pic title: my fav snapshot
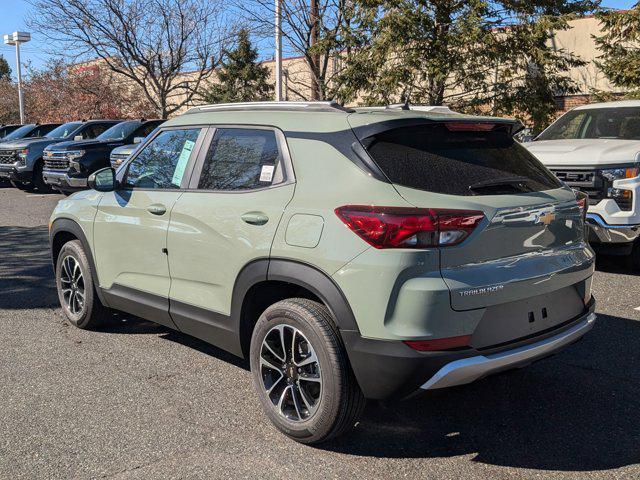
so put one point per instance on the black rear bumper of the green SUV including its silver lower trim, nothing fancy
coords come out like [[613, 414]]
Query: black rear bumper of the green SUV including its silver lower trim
[[388, 370]]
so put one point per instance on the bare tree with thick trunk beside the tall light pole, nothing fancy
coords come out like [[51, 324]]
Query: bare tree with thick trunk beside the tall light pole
[[310, 29]]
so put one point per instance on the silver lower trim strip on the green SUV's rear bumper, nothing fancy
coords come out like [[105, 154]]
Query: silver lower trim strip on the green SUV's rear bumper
[[470, 369]]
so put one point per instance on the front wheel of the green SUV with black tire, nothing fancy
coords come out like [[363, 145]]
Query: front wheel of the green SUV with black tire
[[92, 313]]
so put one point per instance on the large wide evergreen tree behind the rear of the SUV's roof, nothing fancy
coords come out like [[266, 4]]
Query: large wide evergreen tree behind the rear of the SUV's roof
[[476, 56]]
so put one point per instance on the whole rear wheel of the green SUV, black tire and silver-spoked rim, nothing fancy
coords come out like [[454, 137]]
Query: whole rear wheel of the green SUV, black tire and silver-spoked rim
[[302, 374]]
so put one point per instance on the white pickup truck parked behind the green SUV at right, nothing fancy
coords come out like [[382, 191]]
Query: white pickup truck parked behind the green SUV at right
[[596, 149]]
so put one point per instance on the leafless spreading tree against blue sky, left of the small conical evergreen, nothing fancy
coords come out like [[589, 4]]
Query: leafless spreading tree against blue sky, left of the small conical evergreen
[[150, 42]]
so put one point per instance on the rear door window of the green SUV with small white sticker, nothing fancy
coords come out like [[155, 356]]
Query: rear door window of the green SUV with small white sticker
[[240, 159]]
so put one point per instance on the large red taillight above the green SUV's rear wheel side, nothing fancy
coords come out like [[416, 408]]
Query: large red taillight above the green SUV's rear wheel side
[[398, 227]]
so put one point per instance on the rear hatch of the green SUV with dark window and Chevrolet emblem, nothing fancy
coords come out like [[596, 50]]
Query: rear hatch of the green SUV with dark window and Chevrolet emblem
[[530, 242]]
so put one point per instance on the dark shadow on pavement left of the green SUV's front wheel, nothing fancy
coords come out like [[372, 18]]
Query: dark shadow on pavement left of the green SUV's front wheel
[[26, 275]]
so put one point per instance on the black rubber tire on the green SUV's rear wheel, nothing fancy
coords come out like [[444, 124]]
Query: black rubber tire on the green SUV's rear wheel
[[339, 401]]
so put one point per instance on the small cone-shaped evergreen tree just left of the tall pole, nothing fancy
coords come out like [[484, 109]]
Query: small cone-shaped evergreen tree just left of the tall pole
[[241, 78]]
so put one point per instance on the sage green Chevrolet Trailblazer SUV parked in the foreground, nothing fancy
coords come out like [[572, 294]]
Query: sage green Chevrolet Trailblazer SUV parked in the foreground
[[348, 254]]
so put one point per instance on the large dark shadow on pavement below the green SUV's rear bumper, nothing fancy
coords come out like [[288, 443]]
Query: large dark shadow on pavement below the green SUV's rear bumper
[[576, 411]]
